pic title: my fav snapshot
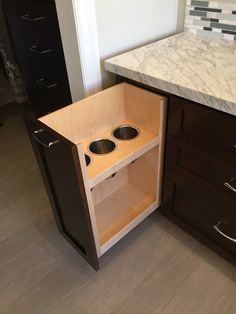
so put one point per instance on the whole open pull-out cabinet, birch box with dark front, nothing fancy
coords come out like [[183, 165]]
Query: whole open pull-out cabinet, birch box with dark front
[[96, 205]]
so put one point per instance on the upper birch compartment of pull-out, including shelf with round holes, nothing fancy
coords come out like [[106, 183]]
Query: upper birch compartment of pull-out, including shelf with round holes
[[97, 116]]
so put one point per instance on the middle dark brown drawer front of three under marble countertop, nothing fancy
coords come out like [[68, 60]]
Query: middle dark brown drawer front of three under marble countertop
[[211, 172]]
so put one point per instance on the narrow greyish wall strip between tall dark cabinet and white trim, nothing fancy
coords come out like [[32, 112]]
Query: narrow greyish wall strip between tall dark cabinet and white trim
[[70, 47]]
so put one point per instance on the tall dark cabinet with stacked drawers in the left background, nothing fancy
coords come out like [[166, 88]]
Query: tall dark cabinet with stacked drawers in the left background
[[36, 38]]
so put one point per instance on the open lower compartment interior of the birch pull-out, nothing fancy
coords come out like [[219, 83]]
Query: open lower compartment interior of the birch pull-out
[[120, 199]]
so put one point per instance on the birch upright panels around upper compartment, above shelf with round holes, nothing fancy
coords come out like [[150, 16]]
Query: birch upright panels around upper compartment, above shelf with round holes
[[105, 110]]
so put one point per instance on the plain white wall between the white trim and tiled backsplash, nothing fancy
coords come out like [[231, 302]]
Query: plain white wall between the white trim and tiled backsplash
[[126, 24]]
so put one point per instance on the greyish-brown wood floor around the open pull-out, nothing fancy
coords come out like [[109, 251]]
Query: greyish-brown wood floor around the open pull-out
[[157, 268]]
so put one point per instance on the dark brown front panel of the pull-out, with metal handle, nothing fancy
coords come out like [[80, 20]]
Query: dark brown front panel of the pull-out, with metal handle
[[59, 164]]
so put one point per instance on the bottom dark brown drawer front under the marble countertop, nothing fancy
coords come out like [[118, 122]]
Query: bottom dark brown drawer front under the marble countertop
[[202, 210]]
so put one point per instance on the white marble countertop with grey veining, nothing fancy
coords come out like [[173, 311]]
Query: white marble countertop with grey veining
[[196, 68]]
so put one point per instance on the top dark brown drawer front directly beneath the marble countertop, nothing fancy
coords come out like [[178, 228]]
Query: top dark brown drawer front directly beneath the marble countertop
[[210, 129]]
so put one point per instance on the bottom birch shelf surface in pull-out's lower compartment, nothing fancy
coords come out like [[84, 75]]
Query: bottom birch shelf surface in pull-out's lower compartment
[[119, 209]]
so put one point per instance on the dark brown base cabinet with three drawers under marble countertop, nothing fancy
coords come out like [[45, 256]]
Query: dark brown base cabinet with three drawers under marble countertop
[[200, 174]]
